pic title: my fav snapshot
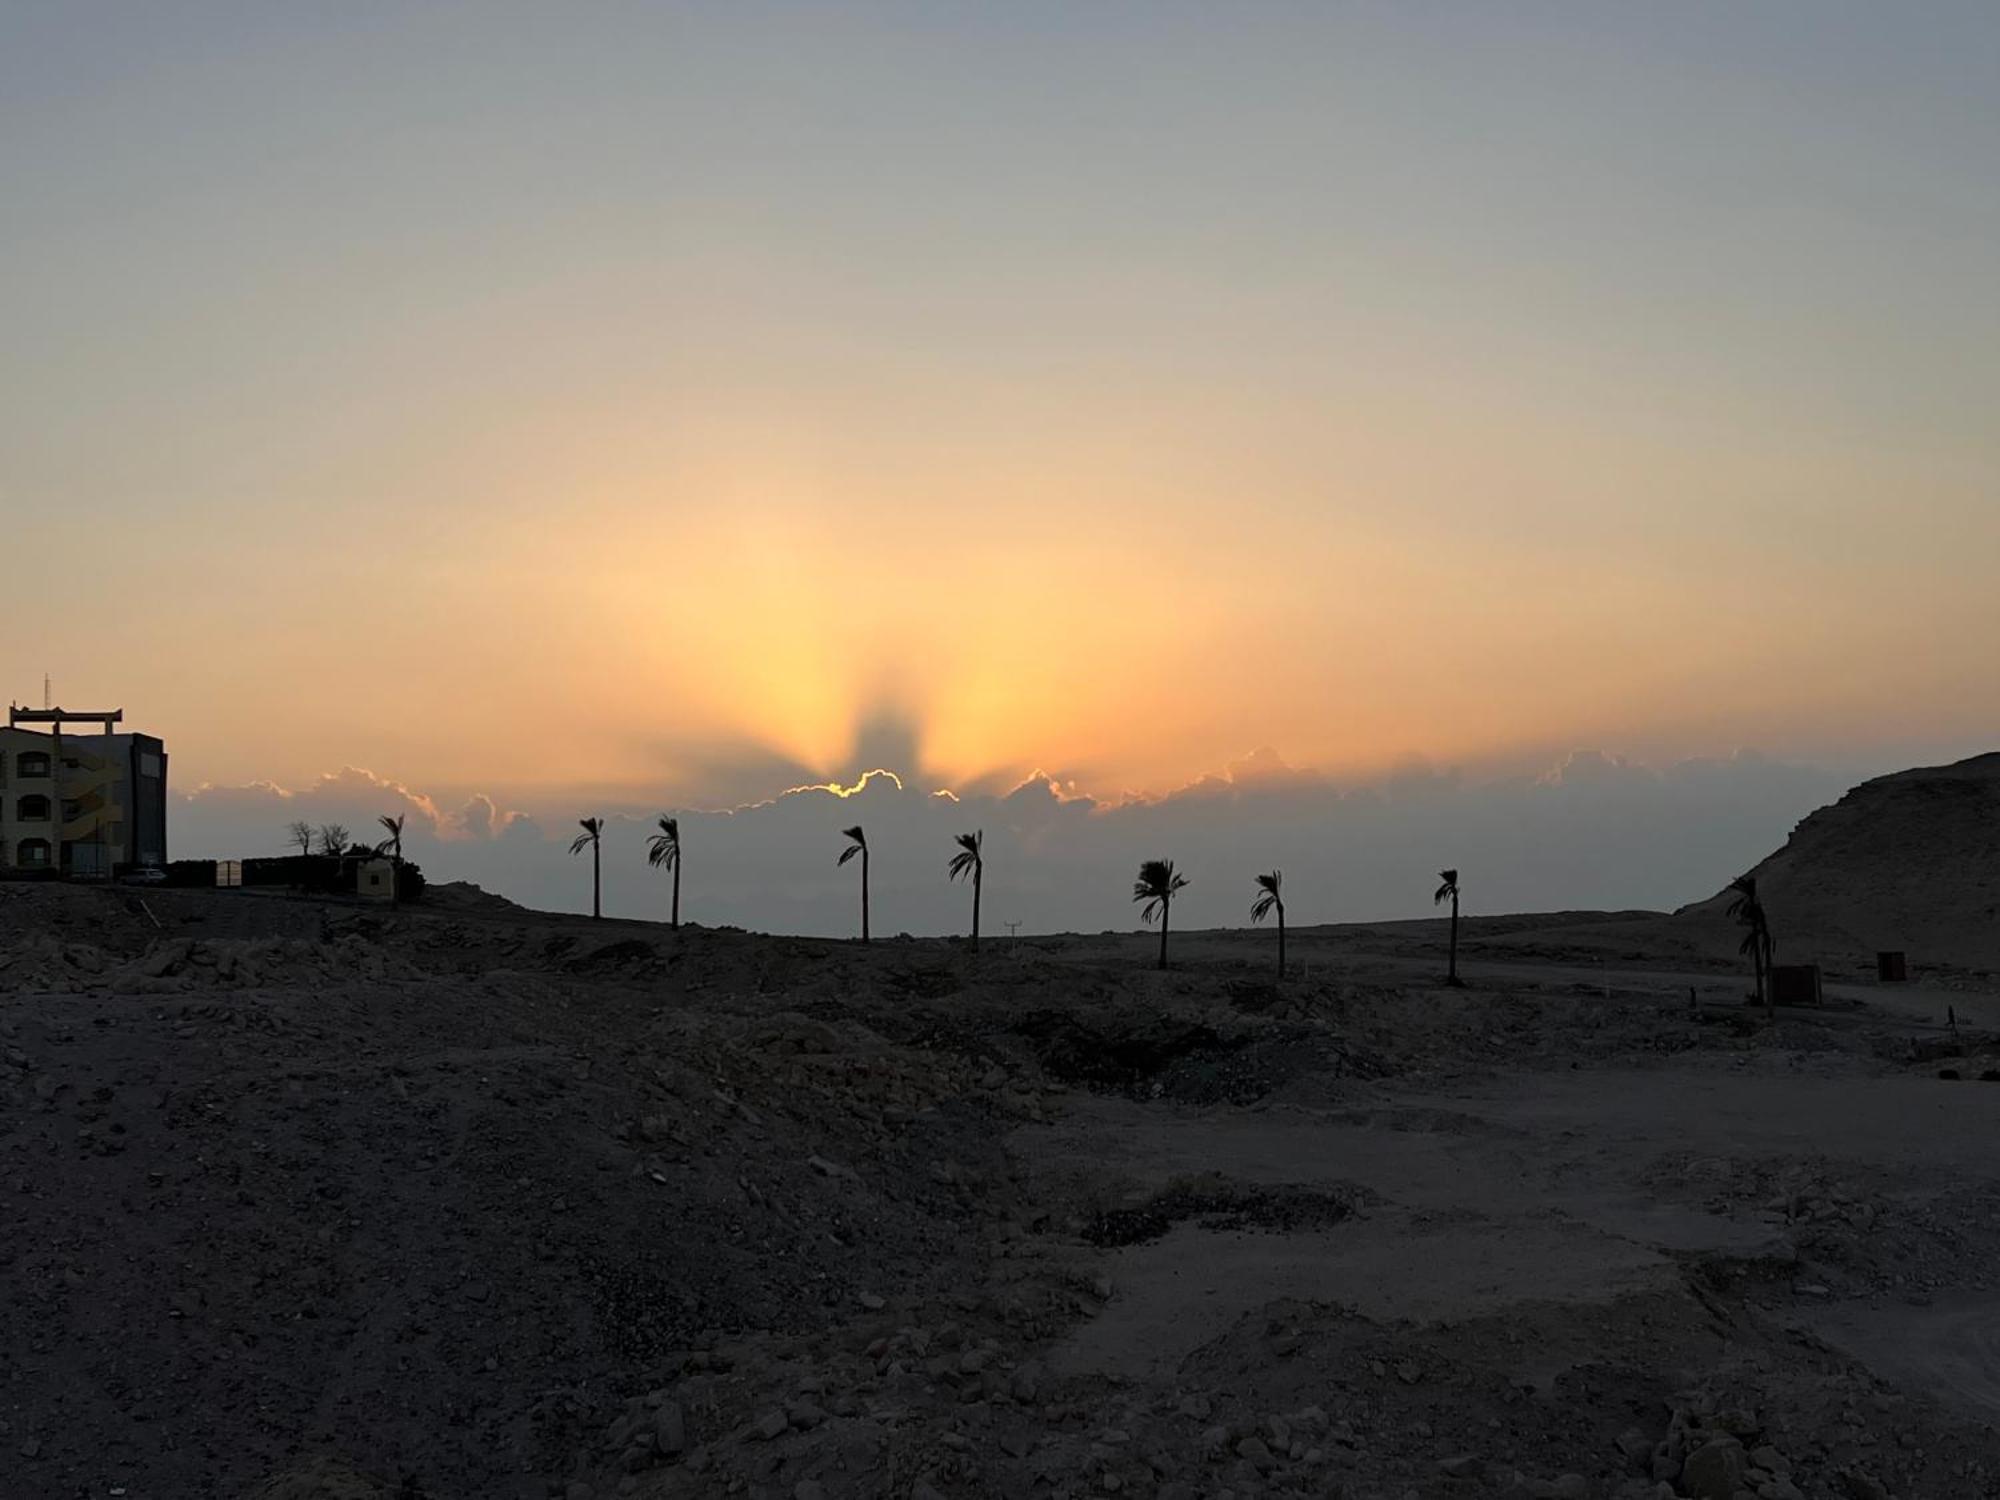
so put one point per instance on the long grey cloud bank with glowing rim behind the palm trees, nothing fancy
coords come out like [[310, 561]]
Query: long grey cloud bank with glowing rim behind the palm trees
[[1589, 833]]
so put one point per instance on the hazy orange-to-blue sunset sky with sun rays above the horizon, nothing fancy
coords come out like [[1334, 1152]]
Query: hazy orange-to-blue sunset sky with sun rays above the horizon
[[613, 409]]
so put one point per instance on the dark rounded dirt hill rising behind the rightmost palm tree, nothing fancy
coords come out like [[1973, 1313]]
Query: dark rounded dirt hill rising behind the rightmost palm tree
[[1903, 863]]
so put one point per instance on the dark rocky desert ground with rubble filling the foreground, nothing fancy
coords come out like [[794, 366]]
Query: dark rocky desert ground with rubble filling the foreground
[[307, 1199]]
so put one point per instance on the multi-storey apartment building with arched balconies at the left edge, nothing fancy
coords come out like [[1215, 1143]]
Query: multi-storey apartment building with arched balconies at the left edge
[[79, 803]]
